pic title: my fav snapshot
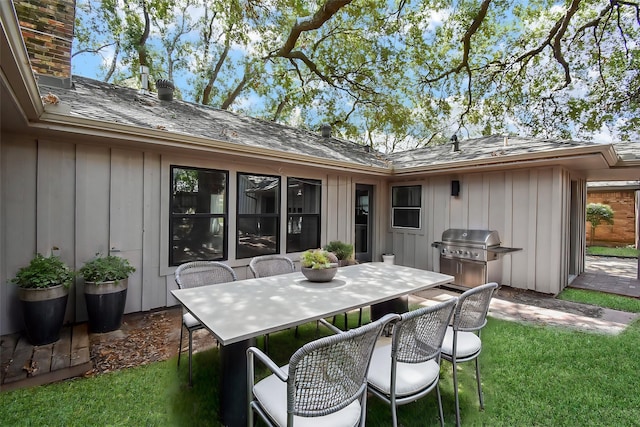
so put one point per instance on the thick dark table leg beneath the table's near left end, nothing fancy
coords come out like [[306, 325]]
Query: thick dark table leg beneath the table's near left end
[[233, 391]]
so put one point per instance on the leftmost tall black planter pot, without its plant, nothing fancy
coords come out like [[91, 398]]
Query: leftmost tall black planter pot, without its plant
[[43, 311]]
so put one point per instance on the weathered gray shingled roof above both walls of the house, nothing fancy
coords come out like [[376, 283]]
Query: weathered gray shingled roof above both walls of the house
[[92, 99]]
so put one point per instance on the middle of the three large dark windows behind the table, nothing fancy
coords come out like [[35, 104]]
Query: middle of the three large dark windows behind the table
[[258, 215]]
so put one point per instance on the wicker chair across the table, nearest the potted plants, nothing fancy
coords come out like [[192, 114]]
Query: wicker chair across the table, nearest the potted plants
[[192, 275]]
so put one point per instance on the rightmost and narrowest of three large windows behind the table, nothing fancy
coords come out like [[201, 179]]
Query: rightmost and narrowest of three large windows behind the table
[[303, 214]]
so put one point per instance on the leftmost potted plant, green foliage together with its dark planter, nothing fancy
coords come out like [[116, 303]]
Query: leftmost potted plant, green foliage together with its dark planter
[[43, 289]]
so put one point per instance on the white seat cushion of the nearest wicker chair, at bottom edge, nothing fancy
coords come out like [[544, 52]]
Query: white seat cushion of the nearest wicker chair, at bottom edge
[[271, 393]]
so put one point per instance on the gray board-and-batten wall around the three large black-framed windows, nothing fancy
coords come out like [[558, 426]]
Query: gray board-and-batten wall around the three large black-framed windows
[[90, 198]]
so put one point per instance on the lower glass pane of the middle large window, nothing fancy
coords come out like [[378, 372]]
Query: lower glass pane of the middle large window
[[257, 236]]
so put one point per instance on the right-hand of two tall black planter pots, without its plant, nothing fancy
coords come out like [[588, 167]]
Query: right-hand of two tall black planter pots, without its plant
[[105, 304]]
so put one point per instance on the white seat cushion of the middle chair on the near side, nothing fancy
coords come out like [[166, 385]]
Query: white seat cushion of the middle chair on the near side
[[410, 377]]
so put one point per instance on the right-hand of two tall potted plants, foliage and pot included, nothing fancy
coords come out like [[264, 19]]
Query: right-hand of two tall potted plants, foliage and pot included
[[105, 291]]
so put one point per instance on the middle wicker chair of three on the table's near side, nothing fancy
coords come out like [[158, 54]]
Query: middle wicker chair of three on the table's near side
[[408, 367]]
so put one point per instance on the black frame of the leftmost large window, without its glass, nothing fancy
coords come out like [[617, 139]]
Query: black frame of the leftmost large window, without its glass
[[224, 215]]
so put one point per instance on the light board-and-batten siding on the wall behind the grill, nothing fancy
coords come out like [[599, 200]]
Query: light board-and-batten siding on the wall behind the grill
[[530, 209]]
